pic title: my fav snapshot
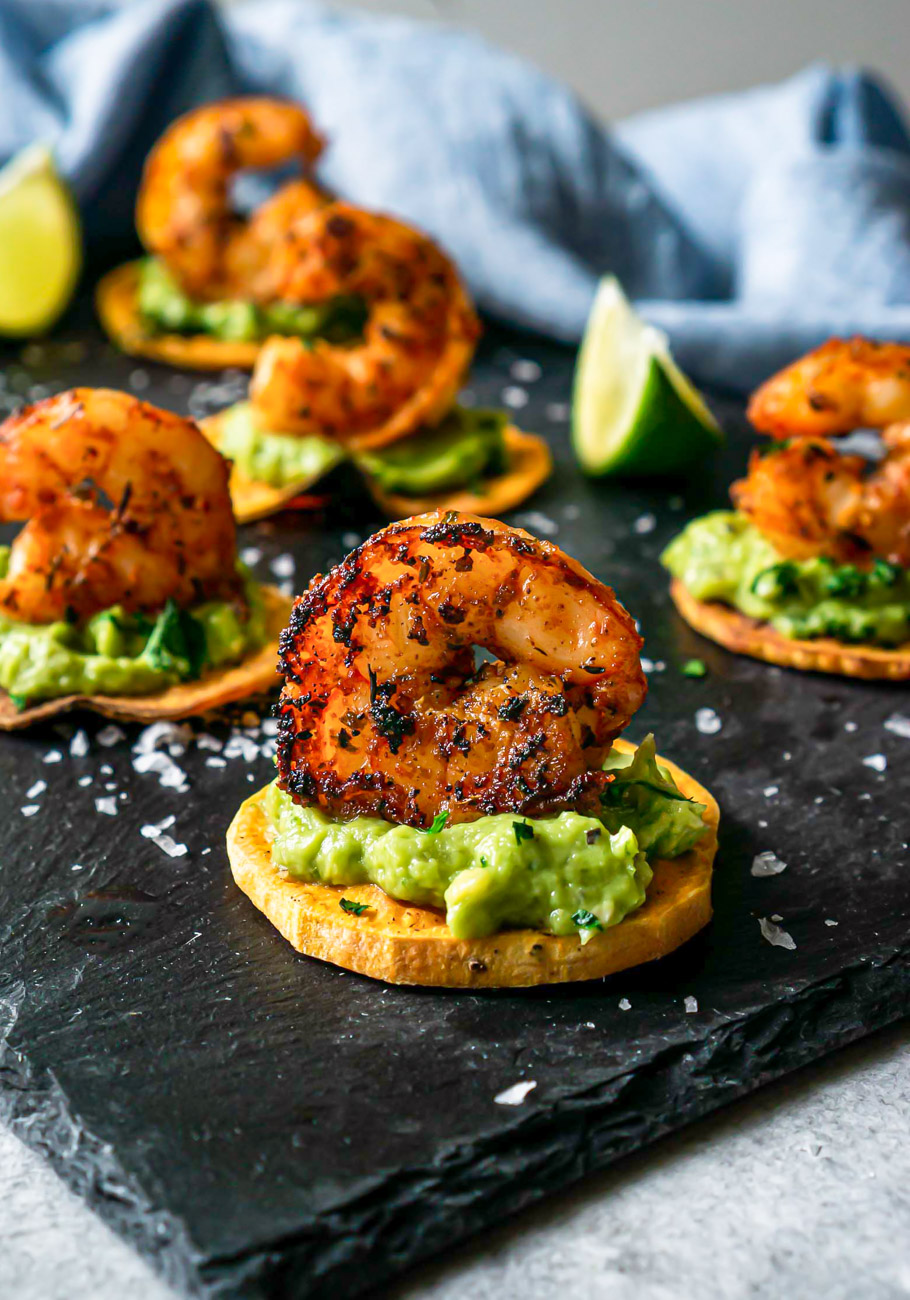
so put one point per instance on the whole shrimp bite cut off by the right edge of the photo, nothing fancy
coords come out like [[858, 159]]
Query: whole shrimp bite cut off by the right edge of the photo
[[812, 570]]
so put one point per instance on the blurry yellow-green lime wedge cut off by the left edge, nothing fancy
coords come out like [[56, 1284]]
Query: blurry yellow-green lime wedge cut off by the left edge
[[41, 244]]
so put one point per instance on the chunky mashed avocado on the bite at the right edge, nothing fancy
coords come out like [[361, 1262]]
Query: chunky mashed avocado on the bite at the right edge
[[723, 557]]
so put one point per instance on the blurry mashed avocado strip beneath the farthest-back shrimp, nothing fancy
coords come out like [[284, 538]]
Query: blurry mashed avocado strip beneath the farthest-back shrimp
[[167, 310]]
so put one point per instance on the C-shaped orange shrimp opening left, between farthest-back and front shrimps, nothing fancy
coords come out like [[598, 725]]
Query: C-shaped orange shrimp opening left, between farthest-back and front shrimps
[[418, 343]]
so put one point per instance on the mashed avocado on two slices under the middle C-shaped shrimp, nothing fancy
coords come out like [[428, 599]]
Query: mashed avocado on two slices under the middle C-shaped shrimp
[[462, 450]]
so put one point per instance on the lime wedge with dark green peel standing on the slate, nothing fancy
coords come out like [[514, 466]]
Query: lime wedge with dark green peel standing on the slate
[[634, 411]]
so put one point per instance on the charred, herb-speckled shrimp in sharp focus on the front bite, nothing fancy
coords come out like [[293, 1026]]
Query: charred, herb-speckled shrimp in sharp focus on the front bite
[[384, 712]]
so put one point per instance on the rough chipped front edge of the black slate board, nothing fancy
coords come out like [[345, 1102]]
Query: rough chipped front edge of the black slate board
[[340, 1256]]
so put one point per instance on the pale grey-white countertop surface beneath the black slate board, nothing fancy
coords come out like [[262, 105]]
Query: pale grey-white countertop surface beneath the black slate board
[[800, 1191]]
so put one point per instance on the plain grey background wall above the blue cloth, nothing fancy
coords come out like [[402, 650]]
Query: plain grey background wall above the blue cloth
[[630, 55]]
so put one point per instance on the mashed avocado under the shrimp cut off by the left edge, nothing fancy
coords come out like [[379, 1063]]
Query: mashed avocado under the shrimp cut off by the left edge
[[125, 655]]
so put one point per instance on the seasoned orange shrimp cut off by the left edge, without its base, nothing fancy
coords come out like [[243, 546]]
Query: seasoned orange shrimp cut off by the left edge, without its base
[[125, 505]]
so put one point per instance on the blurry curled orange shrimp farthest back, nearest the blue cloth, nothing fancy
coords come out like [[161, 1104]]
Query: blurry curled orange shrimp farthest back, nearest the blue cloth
[[184, 211]]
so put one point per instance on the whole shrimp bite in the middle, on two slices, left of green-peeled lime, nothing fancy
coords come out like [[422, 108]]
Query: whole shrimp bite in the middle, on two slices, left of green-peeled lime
[[385, 400]]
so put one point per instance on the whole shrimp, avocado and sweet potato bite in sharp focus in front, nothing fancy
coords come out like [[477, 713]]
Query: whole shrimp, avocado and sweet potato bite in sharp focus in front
[[449, 824]]
